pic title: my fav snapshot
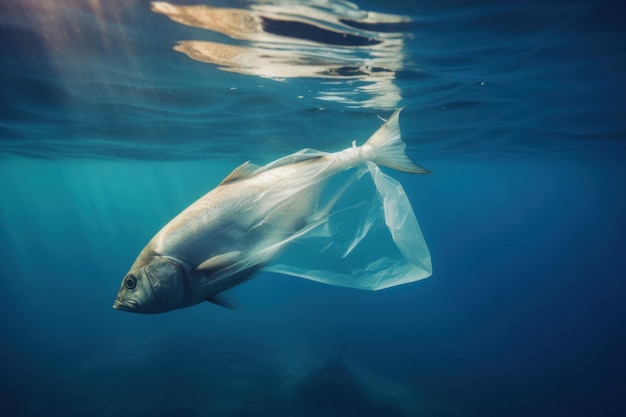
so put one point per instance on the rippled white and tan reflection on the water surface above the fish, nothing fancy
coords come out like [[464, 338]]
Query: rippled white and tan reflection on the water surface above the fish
[[321, 39]]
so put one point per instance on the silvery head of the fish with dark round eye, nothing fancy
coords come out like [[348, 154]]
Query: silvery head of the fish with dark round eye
[[154, 284]]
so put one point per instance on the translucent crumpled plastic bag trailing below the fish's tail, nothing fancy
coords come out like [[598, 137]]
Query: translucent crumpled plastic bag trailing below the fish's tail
[[365, 235]]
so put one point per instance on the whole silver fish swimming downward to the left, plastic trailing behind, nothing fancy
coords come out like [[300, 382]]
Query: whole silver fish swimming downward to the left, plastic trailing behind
[[235, 230]]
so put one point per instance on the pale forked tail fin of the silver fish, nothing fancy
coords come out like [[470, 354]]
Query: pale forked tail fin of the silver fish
[[389, 150]]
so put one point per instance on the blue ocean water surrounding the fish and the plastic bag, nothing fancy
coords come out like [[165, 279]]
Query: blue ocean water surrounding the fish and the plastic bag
[[106, 132]]
